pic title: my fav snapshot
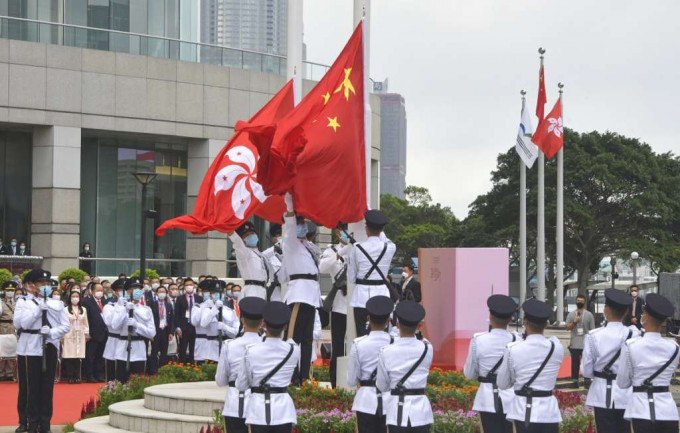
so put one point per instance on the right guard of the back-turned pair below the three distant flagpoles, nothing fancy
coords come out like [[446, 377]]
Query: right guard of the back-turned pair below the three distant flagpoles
[[531, 367]]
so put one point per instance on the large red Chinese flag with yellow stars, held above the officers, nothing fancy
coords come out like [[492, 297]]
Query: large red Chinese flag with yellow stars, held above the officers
[[317, 151]]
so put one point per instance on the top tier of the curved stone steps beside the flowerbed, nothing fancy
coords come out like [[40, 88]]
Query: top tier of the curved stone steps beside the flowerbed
[[198, 398]]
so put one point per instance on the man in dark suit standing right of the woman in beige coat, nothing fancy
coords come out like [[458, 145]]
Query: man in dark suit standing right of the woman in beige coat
[[93, 368]]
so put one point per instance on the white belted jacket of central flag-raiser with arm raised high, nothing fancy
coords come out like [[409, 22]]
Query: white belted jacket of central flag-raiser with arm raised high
[[298, 259]]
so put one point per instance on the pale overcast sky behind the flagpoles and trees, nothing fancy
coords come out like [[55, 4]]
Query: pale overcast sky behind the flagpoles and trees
[[460, 65]]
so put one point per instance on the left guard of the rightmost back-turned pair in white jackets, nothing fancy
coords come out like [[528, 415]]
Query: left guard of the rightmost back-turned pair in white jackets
[[602, 350]]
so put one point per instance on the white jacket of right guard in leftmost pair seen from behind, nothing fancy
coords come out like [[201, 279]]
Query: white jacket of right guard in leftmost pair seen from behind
[[258, 361]]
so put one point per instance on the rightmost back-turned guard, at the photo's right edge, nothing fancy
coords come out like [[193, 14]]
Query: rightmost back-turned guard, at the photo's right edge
[[647, 364]]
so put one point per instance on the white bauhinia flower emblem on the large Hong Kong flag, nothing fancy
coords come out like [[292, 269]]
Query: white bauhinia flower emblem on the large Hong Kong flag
[[240, 174]]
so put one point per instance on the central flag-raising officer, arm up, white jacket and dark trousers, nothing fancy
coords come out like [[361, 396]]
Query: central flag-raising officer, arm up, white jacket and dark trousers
[[304, 294]]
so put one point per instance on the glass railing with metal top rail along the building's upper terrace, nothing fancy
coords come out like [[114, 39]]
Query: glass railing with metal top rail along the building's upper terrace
[[148, 45]]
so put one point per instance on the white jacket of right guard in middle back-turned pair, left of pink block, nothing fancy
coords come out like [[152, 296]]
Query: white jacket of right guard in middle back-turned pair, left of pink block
[[394, 361]]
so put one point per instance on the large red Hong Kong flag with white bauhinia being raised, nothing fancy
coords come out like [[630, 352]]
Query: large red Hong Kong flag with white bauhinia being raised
[[230, 193]]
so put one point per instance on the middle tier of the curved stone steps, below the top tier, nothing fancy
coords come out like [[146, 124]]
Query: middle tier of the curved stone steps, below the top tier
[[133, 416]]
